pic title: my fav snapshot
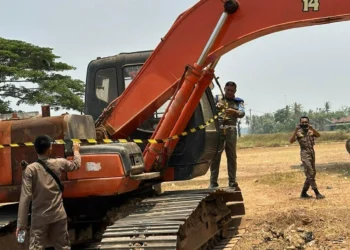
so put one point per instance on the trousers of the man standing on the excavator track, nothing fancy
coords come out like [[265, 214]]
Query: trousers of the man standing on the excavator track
[[228, 141]]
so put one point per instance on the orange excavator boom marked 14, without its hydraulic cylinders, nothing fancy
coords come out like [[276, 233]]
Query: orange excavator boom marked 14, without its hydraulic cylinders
[[188, 36]]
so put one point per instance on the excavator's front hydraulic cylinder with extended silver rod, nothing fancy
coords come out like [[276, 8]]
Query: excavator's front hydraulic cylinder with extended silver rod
[[164, 128]]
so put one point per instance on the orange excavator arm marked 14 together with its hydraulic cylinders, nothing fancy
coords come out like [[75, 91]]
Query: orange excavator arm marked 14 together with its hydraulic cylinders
[[202, 34]]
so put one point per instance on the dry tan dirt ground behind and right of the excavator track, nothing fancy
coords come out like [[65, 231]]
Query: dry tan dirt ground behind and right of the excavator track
[[276, 218]]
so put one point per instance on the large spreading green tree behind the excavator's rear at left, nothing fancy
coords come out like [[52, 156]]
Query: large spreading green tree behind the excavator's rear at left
[[33, 75]]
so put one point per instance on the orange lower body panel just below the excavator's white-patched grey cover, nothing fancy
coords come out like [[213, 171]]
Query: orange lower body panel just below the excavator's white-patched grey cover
[[92, 187]]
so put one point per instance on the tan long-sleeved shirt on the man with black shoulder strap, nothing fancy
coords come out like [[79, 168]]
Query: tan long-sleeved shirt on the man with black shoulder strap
[[42, 190]]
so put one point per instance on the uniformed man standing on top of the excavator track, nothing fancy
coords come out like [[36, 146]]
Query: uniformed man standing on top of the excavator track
[[228, 134]]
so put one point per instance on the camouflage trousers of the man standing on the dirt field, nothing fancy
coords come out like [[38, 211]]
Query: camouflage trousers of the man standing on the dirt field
[[308, 159]]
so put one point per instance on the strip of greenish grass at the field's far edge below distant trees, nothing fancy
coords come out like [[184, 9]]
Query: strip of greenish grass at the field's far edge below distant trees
[[282, 139]]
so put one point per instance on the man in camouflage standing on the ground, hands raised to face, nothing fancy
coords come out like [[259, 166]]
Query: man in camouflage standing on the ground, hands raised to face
[[306, 134]]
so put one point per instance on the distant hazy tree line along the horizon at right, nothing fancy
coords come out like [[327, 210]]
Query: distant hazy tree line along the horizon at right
[[286, 119]]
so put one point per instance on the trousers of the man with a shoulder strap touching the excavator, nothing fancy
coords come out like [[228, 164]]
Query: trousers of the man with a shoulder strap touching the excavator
[[54, 234]]
